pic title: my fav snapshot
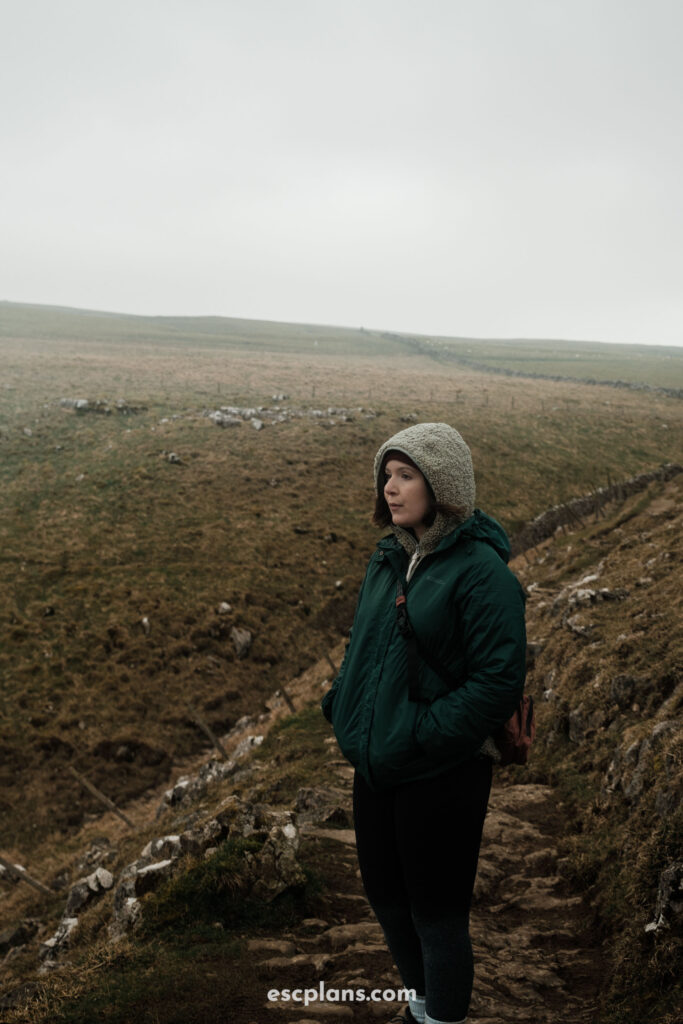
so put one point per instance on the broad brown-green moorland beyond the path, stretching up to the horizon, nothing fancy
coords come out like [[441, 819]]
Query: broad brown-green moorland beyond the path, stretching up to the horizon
[[115, 561]]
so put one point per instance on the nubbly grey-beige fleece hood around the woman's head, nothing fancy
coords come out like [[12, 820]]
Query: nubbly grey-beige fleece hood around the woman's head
[[446, 462]]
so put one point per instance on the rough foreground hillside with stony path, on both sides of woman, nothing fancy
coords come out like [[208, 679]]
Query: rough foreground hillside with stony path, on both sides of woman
[[578, 920]]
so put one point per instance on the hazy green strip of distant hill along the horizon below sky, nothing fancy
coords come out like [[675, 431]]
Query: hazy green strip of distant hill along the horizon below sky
[[655, 365]]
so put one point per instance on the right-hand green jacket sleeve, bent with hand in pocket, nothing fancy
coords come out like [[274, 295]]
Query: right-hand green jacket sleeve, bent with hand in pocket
[[493, 631]]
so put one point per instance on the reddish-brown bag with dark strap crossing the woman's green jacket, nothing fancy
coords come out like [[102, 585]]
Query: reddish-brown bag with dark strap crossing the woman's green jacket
[[514, 739]]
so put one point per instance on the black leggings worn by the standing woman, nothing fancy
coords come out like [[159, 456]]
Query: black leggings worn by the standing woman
[[418, 847]]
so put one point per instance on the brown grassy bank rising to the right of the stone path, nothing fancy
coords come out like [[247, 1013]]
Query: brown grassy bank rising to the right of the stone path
[[605, 615]]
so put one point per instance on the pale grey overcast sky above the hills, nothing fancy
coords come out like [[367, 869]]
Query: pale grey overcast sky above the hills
[[493, 168]]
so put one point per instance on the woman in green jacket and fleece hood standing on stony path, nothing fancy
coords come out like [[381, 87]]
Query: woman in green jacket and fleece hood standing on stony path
[[416, 704]]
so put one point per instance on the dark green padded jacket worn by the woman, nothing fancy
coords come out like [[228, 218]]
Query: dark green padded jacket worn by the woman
[[467, 610]]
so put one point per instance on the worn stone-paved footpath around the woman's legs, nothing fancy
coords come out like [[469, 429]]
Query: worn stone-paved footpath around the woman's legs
[[535, 962]]
